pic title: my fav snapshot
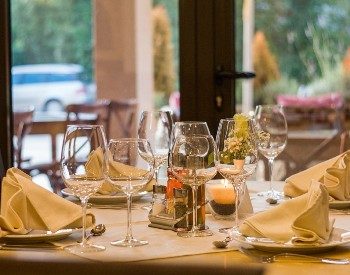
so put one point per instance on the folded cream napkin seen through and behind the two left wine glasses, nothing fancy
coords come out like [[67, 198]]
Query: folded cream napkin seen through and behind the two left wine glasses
[[93, 167]]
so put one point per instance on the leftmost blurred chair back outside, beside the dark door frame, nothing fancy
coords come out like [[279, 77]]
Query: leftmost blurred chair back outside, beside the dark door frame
[[22, 124]]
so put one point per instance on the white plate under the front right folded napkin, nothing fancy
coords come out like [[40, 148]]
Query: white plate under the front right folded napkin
[[265, 244]]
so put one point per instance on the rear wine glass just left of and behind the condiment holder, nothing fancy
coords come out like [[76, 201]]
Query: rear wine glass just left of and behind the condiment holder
[[156, 127]]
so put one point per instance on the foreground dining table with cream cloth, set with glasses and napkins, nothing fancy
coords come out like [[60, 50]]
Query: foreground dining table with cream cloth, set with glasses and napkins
[[166, 253]]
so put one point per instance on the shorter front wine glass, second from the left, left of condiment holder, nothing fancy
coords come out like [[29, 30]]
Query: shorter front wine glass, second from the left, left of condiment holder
[[131, 156]]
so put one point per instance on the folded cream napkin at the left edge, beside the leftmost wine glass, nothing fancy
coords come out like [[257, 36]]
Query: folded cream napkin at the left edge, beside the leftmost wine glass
[[26, 205]]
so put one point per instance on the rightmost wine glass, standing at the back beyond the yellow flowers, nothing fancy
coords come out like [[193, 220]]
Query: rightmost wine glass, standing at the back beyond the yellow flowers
[[271, 127]]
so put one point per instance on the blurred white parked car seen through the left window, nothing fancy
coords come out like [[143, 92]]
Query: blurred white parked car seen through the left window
[[48, 87]]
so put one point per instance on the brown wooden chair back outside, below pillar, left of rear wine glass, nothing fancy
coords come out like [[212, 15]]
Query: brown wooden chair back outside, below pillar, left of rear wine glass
[[125, 113]]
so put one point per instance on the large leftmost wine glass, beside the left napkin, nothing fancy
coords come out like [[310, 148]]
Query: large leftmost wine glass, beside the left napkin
[[80, 142]]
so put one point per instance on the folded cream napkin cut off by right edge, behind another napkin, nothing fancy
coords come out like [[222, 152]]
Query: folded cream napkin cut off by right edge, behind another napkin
[[333, 173]]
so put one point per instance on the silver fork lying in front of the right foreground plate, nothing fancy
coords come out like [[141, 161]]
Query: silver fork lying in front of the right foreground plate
[[291, 256]]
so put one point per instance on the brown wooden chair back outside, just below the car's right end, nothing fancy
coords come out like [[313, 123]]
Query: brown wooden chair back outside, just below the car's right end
[[101, 108]]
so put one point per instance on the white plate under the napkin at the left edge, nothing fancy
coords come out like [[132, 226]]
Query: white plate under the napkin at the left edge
[[35, 236]]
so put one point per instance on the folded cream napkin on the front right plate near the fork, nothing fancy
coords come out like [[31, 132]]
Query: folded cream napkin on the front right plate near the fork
[[304, 219]]
